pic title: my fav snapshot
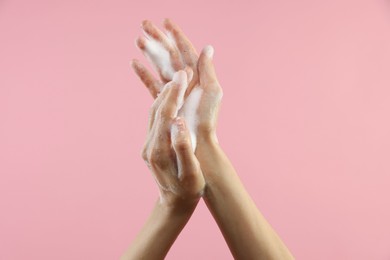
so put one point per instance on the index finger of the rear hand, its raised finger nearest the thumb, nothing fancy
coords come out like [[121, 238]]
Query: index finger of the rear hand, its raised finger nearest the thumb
[[184, 45]]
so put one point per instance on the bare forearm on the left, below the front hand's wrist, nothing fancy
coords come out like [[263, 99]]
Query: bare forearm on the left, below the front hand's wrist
[[159, 232]]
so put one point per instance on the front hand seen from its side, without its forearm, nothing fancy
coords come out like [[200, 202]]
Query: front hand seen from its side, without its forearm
[[168, 151]]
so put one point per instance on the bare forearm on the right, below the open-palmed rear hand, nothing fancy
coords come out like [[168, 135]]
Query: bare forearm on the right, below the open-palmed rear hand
[[246, 231]]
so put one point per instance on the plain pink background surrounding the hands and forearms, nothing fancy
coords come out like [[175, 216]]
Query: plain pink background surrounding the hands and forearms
[[305, 120]]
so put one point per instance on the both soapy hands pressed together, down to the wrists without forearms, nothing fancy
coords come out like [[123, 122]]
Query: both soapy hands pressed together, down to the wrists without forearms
[[184, 113]]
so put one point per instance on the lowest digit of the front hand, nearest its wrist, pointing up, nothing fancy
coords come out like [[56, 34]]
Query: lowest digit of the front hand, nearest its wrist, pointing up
[[188, 166]]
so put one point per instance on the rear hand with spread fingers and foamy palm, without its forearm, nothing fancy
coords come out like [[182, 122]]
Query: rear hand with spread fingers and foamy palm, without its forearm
[[171, 52]]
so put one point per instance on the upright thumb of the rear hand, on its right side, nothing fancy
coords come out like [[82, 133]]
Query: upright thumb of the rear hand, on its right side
[[206, 70]]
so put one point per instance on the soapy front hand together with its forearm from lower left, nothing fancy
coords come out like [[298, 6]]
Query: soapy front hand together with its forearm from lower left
[[168, 153]]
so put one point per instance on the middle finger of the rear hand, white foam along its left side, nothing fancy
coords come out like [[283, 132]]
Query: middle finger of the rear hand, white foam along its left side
[[157, 36]]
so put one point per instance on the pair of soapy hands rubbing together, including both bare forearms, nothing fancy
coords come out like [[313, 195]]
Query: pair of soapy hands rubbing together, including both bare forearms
[[183, 154]]
